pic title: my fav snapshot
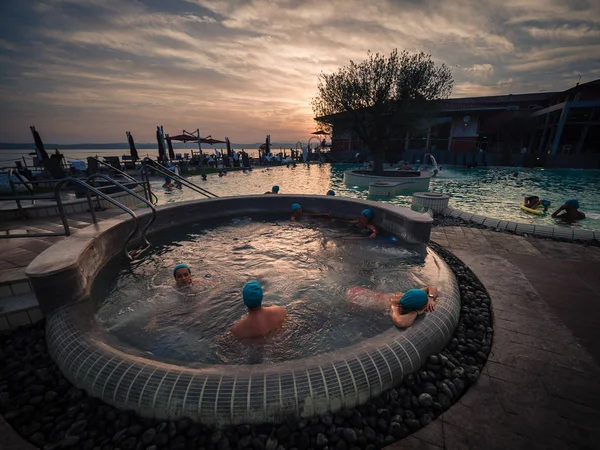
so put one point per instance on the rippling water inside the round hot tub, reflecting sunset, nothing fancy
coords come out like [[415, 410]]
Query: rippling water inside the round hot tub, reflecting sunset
[[305, 268]]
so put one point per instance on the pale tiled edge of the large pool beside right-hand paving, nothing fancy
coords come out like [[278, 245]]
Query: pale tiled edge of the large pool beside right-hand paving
[[543, 231]]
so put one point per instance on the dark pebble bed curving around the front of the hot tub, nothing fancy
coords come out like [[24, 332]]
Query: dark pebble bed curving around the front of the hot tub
[[44, 408]]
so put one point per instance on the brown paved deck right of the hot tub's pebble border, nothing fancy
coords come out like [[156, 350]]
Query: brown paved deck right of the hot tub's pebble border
[[540, 388]]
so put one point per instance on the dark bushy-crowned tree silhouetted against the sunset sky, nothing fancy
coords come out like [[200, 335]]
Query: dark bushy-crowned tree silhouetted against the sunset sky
[[381, 97]]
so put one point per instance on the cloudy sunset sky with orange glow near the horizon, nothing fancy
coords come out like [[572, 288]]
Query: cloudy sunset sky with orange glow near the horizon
[[88, 70]]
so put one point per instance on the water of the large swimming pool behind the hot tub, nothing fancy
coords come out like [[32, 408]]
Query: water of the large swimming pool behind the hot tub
[[492, 192]]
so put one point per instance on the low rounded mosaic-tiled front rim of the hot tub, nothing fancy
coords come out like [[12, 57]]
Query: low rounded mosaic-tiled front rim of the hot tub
[[230, 394]]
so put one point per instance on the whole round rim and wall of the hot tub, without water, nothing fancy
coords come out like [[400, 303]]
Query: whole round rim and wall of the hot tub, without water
[[109, 368]]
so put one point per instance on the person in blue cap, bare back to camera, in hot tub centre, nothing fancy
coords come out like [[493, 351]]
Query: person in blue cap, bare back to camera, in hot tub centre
[[260, 320]]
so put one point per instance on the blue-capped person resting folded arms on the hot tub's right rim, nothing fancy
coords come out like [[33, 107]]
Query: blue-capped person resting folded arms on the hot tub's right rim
[[404, 307]]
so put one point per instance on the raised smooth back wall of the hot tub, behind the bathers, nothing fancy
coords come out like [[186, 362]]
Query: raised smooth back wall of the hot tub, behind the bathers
[[71, 265]]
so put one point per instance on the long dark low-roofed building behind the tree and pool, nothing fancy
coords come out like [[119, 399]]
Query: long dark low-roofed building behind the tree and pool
[[550, 129]]
